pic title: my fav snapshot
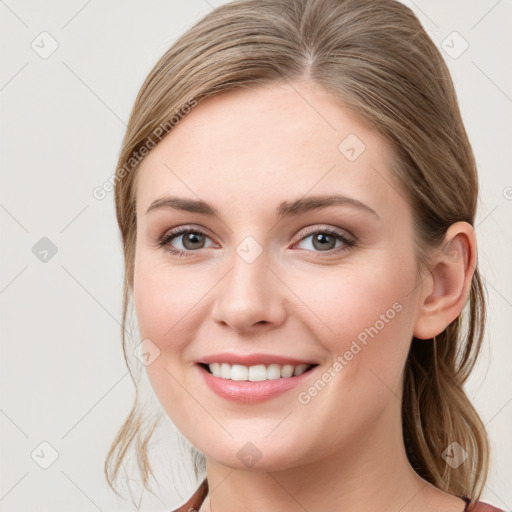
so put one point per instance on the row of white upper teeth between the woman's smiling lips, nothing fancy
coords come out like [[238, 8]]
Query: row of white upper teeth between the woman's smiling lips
[[256, 373]]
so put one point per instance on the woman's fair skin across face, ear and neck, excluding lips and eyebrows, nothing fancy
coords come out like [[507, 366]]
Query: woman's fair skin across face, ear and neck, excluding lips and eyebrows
[[245, 152]]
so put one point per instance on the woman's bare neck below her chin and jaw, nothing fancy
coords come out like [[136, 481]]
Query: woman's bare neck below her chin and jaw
[[369, 473]]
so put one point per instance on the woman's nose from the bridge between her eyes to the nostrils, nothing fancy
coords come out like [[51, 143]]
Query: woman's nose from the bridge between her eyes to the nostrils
[[249, 293]]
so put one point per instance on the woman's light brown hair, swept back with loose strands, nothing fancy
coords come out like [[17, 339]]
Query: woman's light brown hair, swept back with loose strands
[[377, 60]]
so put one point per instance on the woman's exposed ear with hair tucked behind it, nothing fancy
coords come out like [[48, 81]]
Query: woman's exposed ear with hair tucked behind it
[[445, 290]]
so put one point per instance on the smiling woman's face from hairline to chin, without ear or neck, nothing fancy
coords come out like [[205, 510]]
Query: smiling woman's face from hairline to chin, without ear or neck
[[261, 277]]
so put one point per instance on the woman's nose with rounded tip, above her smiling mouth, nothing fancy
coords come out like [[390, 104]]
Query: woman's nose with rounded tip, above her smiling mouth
[[250, 296]]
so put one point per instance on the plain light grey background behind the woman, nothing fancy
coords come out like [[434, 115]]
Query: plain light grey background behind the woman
[[62, 377]]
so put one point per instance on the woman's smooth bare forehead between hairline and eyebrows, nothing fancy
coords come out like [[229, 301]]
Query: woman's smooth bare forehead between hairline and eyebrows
[[252, 148]]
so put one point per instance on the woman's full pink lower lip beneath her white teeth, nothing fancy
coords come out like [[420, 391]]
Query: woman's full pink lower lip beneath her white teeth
[[252, 392]]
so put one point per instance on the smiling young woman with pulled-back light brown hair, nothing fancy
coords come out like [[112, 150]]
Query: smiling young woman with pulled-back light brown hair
[[301, 257]]
